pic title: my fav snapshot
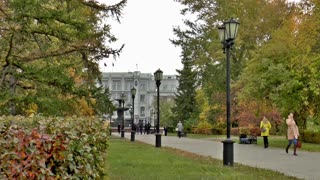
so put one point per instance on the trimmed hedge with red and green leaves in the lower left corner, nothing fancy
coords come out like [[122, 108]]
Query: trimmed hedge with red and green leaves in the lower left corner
[[52, 148]]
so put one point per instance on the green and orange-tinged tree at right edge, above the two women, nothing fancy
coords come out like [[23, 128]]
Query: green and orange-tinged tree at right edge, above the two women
[[286, 70]]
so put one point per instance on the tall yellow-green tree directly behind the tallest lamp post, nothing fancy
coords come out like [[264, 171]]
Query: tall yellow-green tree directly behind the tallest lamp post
[[259, 20]]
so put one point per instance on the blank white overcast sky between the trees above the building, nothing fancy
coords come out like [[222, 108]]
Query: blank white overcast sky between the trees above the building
[[145, 29]]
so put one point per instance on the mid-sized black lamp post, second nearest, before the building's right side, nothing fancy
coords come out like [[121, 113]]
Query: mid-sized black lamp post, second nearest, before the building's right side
[[158, 77]]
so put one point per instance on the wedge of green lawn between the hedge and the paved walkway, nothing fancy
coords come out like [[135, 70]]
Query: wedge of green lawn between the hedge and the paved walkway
[[138, 161]]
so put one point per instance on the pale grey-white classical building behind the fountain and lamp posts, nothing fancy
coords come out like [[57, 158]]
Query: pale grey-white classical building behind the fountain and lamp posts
[[146, 93]]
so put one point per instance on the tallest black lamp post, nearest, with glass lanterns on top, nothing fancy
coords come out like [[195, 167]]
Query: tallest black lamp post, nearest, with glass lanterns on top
[[227, 35]]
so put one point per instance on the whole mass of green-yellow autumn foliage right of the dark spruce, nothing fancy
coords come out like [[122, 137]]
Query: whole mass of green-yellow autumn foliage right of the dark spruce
[[275, 59]]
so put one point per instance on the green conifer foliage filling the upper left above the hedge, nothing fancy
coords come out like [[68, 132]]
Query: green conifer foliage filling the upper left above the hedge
[[50, 52]]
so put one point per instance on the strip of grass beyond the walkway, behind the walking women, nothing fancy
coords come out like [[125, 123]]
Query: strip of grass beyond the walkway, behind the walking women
[[274, 141]]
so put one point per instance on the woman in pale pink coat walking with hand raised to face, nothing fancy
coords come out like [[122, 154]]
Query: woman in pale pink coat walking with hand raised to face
[[293, 134]]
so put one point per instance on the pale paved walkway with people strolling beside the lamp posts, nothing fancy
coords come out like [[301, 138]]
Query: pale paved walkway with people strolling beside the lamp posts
[[304, 166]]
